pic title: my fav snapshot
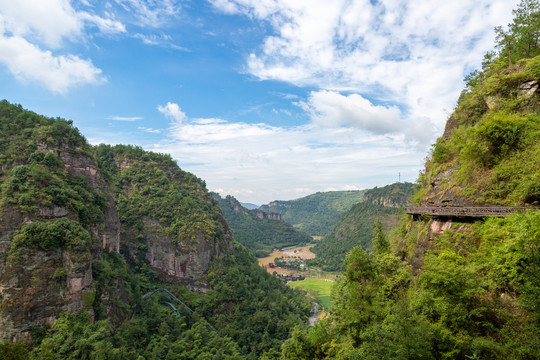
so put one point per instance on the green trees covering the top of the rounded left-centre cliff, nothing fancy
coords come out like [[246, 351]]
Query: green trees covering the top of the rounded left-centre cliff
[[153, 186]]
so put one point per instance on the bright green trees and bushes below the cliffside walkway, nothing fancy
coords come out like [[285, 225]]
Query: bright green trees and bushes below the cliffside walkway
[[476, 297]]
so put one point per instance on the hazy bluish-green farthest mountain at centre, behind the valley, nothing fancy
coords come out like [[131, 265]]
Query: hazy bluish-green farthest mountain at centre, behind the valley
[[318, 213]]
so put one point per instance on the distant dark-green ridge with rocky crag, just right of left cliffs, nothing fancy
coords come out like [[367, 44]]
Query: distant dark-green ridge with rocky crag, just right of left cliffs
[[258, 230]]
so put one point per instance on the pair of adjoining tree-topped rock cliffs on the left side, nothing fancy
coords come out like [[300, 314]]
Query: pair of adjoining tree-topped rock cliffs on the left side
[[62, 205]]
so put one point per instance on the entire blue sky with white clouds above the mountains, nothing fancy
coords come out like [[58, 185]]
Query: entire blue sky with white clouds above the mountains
[[263, 99]]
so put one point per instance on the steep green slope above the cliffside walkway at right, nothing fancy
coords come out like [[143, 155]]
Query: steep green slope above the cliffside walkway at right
[[494, 143]]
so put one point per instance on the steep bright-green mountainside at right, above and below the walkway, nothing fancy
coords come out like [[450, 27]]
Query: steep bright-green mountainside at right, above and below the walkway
[[452, 288]]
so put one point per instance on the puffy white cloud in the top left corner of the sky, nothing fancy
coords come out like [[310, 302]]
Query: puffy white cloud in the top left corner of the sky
[[31, 30]]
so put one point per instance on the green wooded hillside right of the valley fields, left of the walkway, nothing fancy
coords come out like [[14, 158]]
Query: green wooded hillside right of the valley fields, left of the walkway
[[354, 229]]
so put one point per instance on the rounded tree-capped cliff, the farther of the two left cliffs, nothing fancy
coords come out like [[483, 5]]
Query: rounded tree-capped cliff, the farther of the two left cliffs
[[168, 216]]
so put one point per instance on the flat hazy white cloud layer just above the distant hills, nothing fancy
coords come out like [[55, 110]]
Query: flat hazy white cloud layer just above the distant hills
[[255, 161]]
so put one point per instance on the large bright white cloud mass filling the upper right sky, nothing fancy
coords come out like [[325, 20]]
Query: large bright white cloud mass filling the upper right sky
[[410, 53]]
